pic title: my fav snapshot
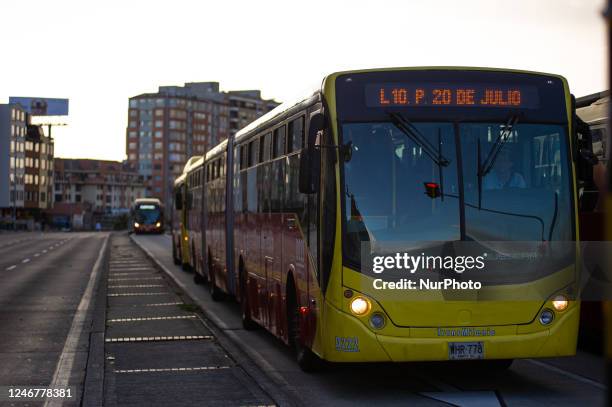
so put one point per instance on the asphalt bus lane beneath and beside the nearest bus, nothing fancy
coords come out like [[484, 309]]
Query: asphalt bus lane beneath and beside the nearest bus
[[562, 382]]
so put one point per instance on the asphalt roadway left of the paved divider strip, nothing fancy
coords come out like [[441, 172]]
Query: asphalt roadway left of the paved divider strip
[[43, 279]]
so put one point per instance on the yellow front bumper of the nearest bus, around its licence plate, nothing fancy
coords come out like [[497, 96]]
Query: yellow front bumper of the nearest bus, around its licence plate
[[350, 340]]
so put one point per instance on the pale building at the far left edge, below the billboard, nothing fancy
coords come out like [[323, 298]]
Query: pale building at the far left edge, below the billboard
[[13, 129]]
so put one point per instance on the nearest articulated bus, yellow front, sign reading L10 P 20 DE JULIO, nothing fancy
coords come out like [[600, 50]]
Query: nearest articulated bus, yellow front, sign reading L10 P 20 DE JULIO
[[415, 160]]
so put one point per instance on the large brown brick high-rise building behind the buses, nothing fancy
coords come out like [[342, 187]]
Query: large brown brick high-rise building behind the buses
[[166, 128]]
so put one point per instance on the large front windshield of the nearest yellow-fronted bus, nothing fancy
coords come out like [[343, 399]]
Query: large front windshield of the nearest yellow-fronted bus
[[394, 191]]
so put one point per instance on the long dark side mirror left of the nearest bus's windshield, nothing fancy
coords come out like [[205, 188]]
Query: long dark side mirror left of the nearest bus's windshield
[[311, 155]]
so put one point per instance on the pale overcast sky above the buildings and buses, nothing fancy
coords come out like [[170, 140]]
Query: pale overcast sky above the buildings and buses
[[99, 53]]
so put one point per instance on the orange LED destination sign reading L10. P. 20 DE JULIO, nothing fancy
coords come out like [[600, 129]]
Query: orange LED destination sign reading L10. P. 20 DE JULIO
[[451, 95]]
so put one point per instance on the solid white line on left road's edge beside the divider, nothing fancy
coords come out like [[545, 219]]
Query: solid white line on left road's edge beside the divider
[[65, 364]]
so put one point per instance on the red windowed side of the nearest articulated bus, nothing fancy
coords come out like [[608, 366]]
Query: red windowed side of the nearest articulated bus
[[260, 230]]
